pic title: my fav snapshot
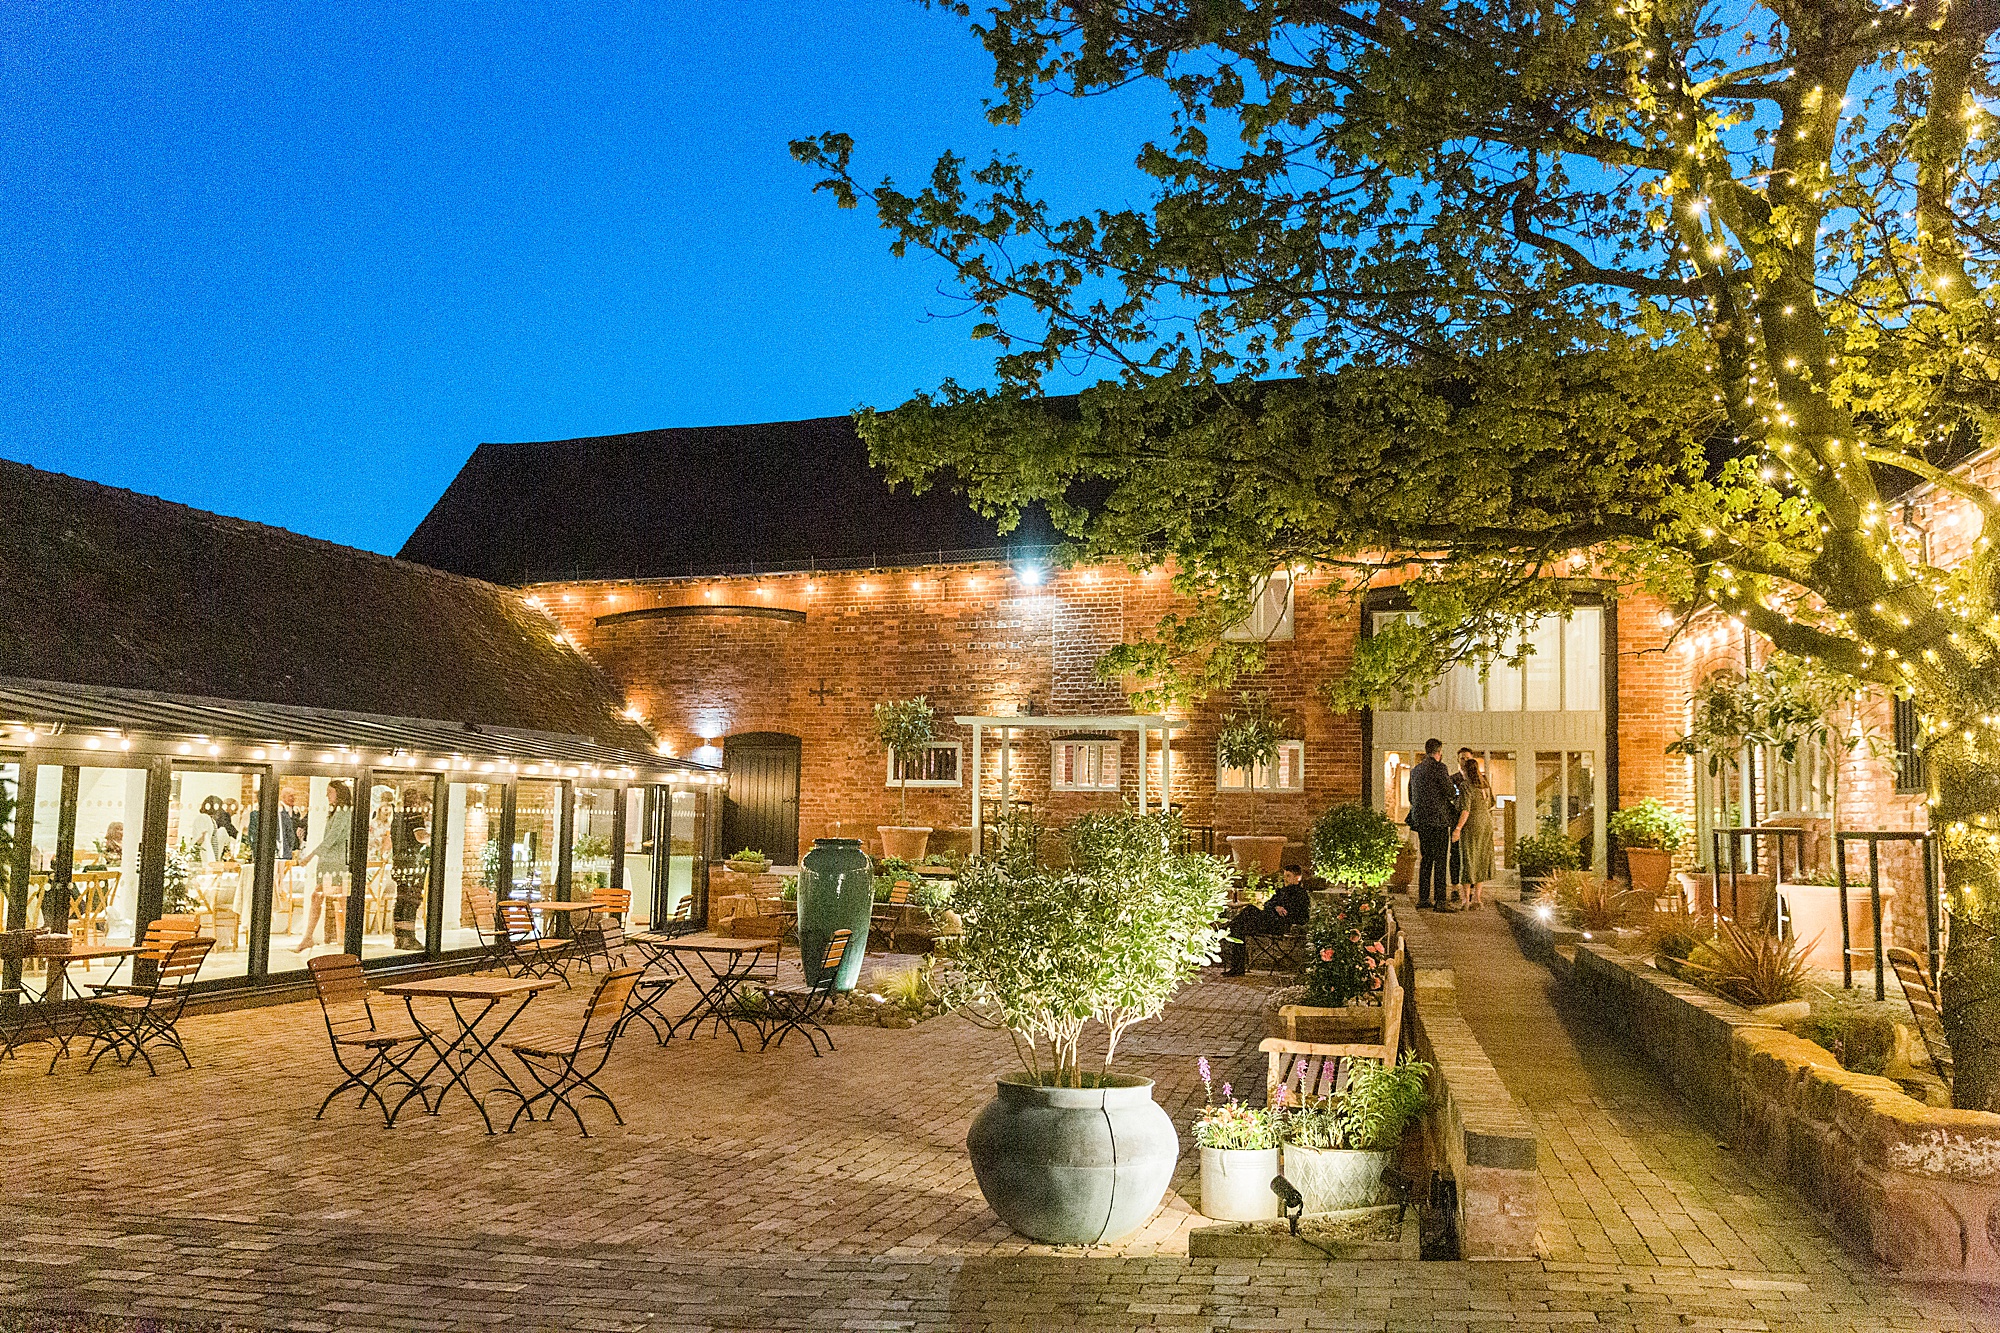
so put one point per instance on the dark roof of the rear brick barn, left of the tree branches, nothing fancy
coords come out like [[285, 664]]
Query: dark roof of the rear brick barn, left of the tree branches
[[693, 501]]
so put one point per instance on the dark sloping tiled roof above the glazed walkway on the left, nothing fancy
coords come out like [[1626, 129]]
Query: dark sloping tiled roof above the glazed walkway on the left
[[121, 589]]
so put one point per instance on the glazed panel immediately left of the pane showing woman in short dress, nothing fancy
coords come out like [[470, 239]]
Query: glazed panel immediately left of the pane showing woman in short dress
[[211, 846]]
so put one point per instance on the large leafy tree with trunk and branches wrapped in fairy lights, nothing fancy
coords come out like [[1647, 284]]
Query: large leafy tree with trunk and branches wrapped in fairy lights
[[1479, 293]]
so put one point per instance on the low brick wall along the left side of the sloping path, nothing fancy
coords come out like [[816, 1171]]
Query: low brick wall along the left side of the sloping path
[[1477, 1128]]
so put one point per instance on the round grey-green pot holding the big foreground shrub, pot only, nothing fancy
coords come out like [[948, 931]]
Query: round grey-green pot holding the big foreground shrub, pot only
[[1073, 1166]]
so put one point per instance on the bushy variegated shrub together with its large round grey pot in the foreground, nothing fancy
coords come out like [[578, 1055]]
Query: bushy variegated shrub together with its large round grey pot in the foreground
[[1073, 1156]]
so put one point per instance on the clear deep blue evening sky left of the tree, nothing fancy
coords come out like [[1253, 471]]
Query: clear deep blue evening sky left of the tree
[[295, 261]]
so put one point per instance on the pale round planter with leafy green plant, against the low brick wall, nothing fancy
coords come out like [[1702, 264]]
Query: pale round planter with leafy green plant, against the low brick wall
[[1335, 1154]]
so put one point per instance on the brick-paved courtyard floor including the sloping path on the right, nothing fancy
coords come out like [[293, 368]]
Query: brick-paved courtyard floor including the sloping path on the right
[[785, 1192]]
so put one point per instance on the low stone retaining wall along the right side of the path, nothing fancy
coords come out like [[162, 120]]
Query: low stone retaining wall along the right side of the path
[[1913, 1186]]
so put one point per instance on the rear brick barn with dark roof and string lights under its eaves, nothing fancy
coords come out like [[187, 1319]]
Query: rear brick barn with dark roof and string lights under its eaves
[[759, 589]]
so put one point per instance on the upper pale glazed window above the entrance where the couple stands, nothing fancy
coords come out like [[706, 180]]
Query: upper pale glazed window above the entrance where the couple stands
[[1563, 670]]
